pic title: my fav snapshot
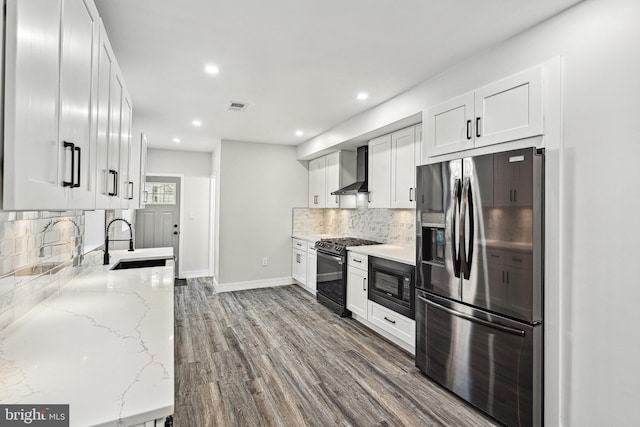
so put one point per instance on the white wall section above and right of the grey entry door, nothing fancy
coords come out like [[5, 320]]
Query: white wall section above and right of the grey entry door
[[196, 168]]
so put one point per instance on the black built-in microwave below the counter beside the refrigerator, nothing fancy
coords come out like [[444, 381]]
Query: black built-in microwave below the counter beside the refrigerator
[[392, 284]]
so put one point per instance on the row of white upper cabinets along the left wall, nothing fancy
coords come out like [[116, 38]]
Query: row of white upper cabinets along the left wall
[[57, 131]]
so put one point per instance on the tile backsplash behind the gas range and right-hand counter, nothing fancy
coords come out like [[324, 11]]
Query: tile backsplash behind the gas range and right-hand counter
[[393, 226]]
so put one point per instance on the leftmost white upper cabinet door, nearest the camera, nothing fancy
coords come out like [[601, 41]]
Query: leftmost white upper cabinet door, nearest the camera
[[34, 157]]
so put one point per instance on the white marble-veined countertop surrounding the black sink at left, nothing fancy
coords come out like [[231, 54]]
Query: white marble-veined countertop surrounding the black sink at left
[[104, 345]]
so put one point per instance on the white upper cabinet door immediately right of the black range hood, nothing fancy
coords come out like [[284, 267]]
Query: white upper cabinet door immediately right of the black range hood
[[380, 172]]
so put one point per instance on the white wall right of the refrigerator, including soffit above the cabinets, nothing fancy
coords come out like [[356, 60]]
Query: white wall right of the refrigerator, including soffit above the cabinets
[[592, 289]]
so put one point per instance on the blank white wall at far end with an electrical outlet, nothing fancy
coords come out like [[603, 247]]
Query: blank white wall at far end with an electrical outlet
[[259, 185]]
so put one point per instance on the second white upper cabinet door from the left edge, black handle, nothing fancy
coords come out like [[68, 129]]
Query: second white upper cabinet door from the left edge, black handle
[[78, 70]]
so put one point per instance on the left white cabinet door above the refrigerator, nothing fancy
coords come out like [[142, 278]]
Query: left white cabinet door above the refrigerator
[[450, 125]]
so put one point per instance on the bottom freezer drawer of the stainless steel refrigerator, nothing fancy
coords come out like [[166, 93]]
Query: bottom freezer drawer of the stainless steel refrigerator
[[490, 361]]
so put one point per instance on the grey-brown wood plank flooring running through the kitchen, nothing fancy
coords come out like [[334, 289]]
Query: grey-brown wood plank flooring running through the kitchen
[[275, 357]]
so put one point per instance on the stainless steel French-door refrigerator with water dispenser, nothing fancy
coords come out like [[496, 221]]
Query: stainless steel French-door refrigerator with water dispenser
[[479, 283]]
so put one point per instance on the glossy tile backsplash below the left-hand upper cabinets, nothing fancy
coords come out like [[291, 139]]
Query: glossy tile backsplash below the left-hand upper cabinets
[[39, 253]]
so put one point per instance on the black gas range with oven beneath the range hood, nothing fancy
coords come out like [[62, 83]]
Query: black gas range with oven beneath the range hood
[[331, 290]]
